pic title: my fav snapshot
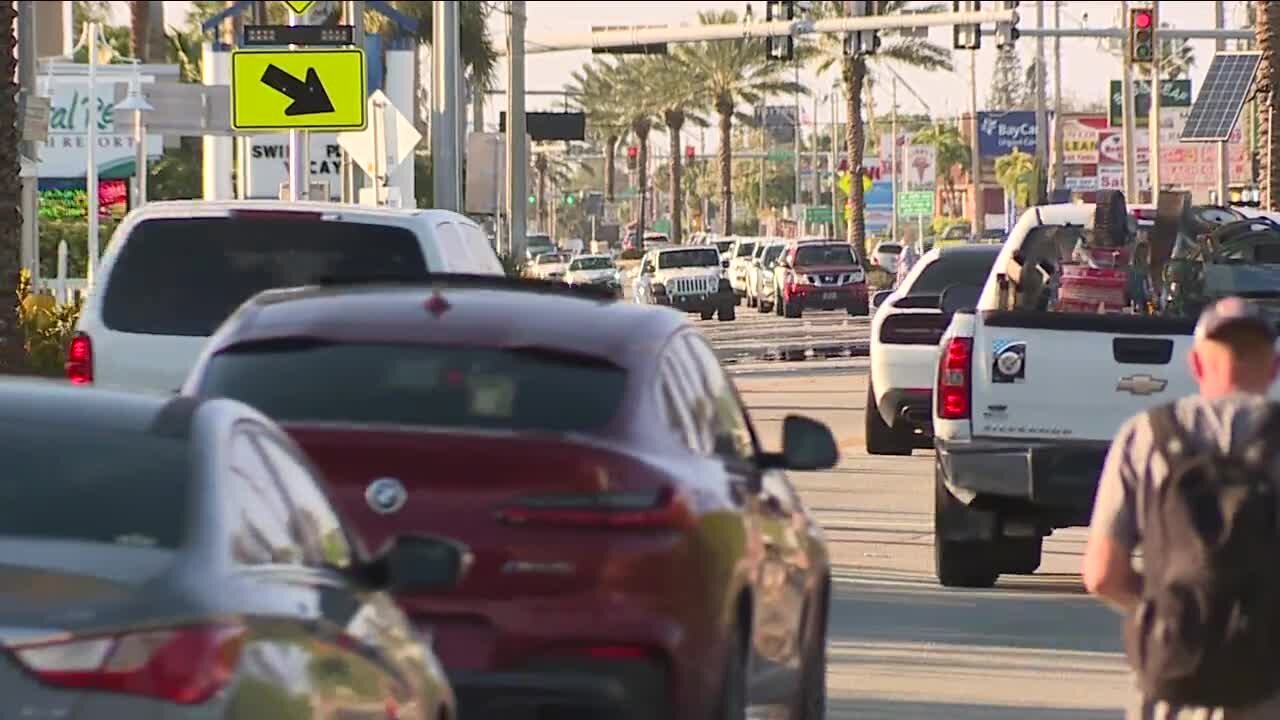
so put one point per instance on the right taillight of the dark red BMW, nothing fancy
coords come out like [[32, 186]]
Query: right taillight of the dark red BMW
[[627, 511]]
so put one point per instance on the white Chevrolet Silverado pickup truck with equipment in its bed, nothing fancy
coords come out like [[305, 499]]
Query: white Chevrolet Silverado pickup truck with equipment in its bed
[[1027, 402]]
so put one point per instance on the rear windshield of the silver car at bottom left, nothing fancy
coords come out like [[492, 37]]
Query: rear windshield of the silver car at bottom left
[[112, 487]]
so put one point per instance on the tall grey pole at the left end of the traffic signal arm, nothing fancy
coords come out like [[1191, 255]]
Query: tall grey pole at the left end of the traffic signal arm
[[518, 153]]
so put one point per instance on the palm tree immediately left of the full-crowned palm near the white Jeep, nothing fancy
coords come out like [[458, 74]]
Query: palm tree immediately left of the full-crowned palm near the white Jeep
[[679, 102]]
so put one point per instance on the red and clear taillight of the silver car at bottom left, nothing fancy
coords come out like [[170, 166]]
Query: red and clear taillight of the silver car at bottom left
[[184, 666]]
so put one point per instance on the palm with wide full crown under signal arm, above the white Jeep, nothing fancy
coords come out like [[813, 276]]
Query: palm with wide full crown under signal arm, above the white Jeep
[[733, 74]]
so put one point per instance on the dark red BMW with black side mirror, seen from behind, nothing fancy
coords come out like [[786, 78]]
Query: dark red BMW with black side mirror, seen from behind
[[633, 543]]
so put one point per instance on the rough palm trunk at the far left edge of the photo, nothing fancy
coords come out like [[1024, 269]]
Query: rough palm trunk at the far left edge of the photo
[[13, 343]]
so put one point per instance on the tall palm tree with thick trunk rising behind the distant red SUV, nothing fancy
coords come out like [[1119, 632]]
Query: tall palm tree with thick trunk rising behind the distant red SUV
[[854, 75]]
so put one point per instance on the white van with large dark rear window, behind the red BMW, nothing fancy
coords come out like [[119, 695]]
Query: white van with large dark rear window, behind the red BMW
[[176, 271]]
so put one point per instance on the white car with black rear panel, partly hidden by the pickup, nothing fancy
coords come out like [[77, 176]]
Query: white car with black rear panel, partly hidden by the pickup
[[904, 347]]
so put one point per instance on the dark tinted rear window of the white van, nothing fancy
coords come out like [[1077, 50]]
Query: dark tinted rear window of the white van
[[185, 276]]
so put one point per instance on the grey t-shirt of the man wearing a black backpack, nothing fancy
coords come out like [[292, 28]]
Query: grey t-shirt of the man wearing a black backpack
[[1135, 463]]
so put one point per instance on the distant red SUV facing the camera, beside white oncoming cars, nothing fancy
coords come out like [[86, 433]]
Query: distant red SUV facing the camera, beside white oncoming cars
[[821, 276]]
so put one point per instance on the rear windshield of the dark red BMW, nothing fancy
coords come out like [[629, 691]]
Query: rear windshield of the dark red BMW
[[420, 386]]
